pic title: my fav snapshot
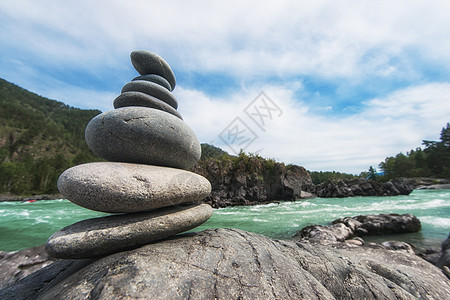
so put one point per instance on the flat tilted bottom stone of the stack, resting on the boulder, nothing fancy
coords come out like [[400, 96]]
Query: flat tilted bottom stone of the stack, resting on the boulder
[[106, 235]]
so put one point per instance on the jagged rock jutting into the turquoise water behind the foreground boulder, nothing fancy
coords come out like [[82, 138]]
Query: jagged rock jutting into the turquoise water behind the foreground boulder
[[345, 228]]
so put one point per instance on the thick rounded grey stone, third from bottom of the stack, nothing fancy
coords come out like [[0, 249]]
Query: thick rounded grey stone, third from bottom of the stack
[[143, 135]]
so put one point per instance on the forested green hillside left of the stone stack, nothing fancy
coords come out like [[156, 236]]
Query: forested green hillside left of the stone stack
[[39, 139]]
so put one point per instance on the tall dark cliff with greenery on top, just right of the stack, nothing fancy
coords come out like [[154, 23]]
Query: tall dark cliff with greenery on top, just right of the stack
[[253, 181]]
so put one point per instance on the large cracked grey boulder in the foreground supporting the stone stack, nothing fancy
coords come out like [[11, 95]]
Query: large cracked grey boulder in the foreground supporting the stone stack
[[234, 264]]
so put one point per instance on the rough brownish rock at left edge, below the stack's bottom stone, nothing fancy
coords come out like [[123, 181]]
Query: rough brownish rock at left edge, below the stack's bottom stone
[[18, 264]]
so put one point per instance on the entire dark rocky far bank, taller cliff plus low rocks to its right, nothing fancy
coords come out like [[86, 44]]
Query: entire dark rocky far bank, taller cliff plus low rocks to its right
[[253, 180]]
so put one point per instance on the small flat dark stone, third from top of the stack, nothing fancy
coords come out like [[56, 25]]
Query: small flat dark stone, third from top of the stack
[[152, 89]]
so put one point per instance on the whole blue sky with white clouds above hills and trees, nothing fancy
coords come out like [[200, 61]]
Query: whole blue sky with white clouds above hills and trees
[[330, 85]]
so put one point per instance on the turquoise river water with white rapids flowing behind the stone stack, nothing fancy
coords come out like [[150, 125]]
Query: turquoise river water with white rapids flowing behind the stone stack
[[24, 225]]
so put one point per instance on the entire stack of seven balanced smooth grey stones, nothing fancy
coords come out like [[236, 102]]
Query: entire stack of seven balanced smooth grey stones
[[148, 148]]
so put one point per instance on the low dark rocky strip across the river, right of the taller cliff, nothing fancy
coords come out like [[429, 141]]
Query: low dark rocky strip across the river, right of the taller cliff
[[363, 187]]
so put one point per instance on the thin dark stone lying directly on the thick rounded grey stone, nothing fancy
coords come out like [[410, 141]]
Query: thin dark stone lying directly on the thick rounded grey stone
[[141, 99]]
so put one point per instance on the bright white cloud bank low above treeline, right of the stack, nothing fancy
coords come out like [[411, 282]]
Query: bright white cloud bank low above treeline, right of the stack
[[386, 126]]
